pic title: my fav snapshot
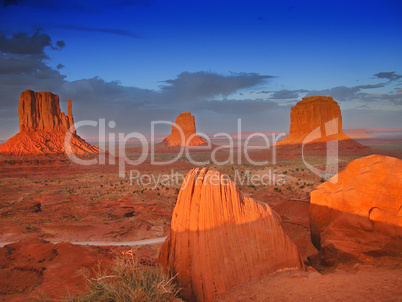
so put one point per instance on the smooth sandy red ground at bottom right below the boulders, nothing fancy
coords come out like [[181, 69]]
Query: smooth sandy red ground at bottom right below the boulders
[[360, 283]]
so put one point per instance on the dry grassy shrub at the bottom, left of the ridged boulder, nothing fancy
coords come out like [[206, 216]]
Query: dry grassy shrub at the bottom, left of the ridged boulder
[[123, 280]]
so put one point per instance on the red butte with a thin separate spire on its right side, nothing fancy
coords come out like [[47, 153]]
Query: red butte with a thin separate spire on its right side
[[43, 128]]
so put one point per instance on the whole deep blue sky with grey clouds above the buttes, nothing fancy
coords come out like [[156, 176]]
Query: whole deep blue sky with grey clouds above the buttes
[[139, 61]]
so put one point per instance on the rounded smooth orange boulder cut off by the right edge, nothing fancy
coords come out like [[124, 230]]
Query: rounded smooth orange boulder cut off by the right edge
[[361, 214]]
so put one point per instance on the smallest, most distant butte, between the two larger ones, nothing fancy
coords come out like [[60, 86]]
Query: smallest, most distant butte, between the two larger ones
[[185, 122]]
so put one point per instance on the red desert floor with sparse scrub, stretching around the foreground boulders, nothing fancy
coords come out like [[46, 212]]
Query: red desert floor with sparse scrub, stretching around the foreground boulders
[[48, 203]]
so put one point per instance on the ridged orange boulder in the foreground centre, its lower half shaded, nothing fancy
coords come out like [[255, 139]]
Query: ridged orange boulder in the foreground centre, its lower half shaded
[[219, 238]]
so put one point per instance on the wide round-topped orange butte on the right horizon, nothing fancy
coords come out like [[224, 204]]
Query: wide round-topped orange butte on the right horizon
[[315, 119]]
